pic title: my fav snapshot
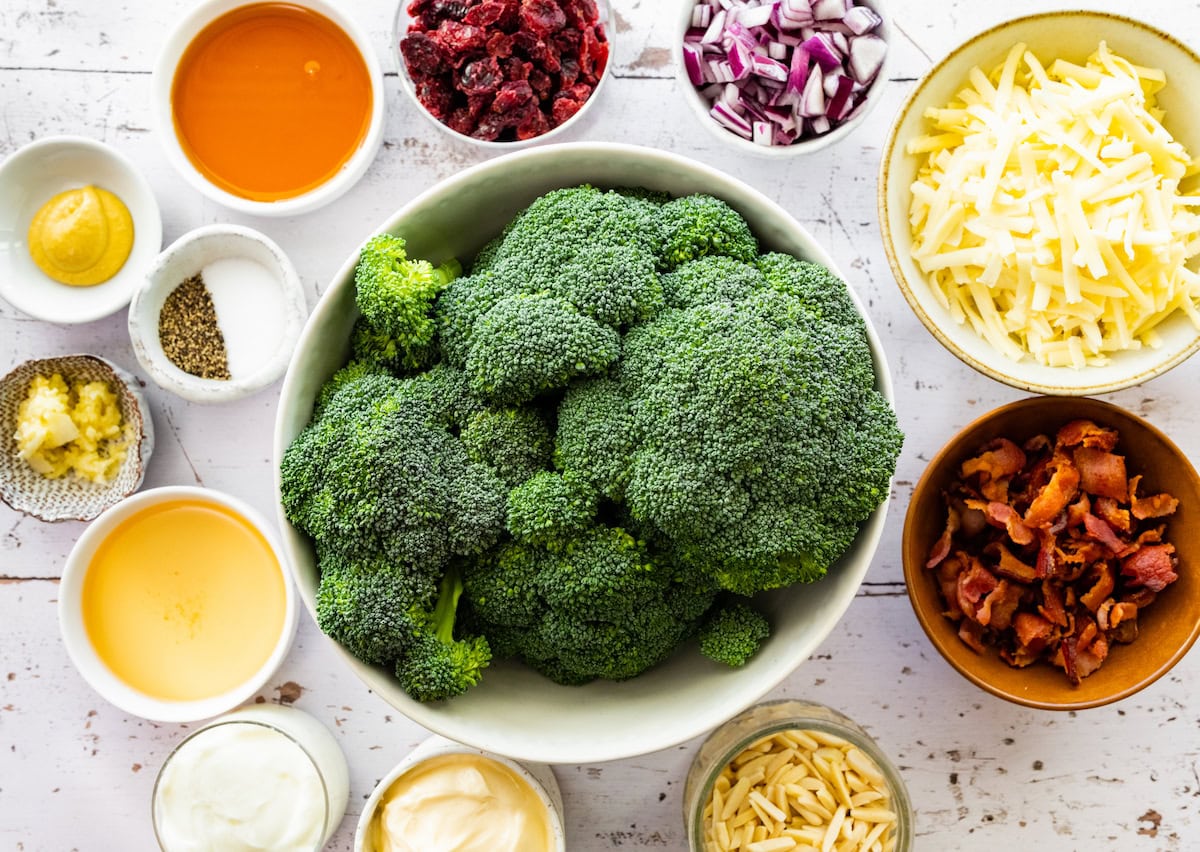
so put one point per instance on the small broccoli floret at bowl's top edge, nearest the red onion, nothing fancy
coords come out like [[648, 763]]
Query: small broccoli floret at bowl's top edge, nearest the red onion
[[697, 226]]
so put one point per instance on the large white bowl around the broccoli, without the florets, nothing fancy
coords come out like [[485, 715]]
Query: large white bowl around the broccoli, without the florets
[[515, 711]]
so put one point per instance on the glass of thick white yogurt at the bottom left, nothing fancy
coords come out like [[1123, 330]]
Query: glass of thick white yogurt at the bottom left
[[265, 777]]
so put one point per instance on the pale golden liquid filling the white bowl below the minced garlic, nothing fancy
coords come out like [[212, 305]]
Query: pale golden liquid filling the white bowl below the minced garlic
[[184, 601]]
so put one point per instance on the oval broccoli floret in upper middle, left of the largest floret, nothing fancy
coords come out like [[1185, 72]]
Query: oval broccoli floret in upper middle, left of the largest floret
[[532, 344]]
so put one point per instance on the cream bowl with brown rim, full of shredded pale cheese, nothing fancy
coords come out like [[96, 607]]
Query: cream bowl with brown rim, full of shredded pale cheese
[[1041, 207]]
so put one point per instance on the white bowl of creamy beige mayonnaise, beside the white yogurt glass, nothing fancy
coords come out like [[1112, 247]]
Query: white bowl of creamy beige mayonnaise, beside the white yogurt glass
[[448, 796]]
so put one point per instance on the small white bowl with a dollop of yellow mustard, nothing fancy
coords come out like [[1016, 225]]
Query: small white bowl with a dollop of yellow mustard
[[79, 226]]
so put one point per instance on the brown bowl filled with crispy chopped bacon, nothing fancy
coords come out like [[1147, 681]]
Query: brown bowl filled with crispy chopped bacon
[[1053, 553]]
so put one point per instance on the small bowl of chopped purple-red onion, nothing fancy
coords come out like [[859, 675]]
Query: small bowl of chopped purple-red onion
[[782, 77]]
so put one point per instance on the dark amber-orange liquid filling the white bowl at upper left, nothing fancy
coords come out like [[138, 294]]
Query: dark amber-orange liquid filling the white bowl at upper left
[[271, 101]]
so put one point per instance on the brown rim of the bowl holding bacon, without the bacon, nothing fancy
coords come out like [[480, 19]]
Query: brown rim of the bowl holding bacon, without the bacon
[[915, 574]]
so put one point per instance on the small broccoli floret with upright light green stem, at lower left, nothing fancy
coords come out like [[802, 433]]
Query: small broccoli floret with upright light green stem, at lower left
[[437, 665]]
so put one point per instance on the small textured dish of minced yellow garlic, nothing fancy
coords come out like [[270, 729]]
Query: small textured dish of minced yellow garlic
[[76, 434]]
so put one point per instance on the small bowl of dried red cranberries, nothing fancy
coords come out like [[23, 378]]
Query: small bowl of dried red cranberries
[[501, 75]]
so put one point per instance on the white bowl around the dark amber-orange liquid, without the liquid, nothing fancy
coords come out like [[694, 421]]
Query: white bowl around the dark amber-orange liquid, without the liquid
[[177, 43]]
